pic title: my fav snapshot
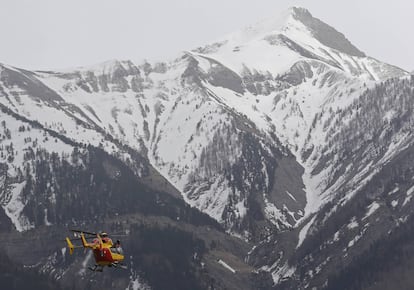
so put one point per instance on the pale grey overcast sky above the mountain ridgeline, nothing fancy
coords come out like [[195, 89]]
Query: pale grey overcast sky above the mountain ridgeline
[[47, 34]]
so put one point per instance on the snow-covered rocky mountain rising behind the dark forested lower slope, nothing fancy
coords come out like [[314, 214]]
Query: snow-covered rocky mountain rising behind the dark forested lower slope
[[272, 131]]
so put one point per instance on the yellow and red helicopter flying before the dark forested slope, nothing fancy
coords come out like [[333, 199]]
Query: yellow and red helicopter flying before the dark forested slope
[[105, 252]]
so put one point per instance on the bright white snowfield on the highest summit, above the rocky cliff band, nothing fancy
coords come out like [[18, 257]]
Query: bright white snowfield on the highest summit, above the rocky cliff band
[[276, 44]]
